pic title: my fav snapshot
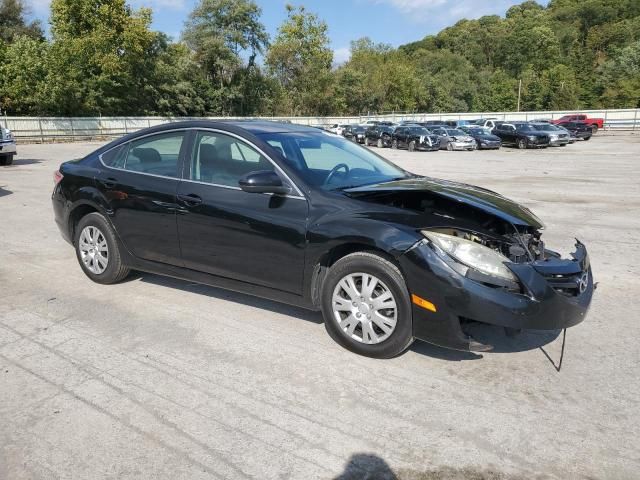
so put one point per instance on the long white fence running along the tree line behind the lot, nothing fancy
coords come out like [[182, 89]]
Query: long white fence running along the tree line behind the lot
[[46, 129]]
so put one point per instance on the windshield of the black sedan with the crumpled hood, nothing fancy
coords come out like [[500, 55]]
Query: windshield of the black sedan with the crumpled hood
[[331, 162]]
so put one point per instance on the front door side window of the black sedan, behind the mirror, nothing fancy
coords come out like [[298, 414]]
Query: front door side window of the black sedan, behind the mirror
[[222, 160]]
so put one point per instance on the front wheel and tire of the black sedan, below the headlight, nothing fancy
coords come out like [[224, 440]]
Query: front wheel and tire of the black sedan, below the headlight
[[366, 306]]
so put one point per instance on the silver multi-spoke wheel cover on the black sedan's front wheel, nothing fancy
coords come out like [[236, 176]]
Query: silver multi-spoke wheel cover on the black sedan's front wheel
[[364, 308]]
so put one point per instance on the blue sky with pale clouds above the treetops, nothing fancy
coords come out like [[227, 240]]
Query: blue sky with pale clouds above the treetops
[[395, 22]]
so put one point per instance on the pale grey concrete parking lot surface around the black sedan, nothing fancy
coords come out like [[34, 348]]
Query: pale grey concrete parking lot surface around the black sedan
[[159, 378]]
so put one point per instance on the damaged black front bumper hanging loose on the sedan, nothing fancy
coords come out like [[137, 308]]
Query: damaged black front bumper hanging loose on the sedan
[[555, 293]]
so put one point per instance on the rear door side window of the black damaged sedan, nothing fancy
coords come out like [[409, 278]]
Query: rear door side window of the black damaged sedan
[[157, 155]]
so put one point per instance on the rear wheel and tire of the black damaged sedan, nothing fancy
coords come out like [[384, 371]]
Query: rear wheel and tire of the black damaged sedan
[[97, 250]]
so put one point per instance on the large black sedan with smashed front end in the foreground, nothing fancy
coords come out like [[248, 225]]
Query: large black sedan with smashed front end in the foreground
[[302, 216]]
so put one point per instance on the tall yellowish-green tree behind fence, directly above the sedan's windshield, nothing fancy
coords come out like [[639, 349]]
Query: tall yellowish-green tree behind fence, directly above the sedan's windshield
[[300, 58]]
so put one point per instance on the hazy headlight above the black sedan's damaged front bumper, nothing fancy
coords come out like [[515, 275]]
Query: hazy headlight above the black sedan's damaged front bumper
[[472, 255]]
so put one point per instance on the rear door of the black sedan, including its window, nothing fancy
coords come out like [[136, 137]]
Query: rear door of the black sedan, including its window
[[140, 181]]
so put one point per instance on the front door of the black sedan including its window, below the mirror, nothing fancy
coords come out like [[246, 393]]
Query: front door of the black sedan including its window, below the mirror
[[252, 237]]
